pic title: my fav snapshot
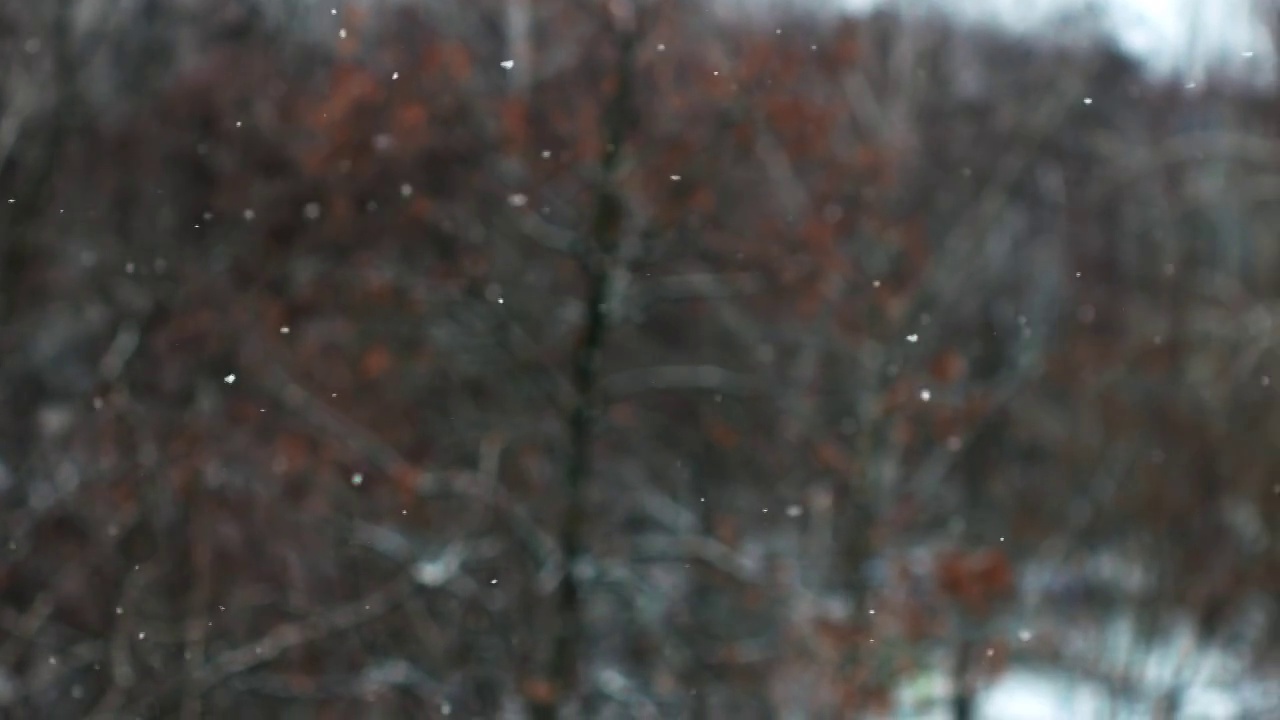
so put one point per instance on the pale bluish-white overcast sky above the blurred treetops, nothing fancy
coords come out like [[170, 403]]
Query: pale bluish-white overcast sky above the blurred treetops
[[1178, 38]]
